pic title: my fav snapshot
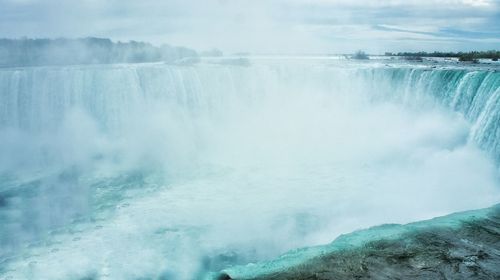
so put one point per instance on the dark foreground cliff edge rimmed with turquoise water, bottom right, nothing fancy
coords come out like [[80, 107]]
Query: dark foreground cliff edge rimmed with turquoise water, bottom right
[[459, 246]]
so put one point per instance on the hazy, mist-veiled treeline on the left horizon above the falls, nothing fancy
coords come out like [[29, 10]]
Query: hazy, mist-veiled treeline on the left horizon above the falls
[[32, 52]]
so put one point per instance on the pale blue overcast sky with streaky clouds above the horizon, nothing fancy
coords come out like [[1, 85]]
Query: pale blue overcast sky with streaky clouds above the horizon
[[264, 26]]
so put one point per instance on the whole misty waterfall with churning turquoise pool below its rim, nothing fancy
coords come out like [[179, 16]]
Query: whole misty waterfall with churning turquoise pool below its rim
[[153, 170]]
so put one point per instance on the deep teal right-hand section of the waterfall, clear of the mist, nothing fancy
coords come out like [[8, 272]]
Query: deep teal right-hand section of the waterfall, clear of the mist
[[473, 93]]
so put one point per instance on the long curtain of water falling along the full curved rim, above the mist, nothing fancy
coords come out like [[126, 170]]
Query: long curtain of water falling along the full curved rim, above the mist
[[32, 96]]
